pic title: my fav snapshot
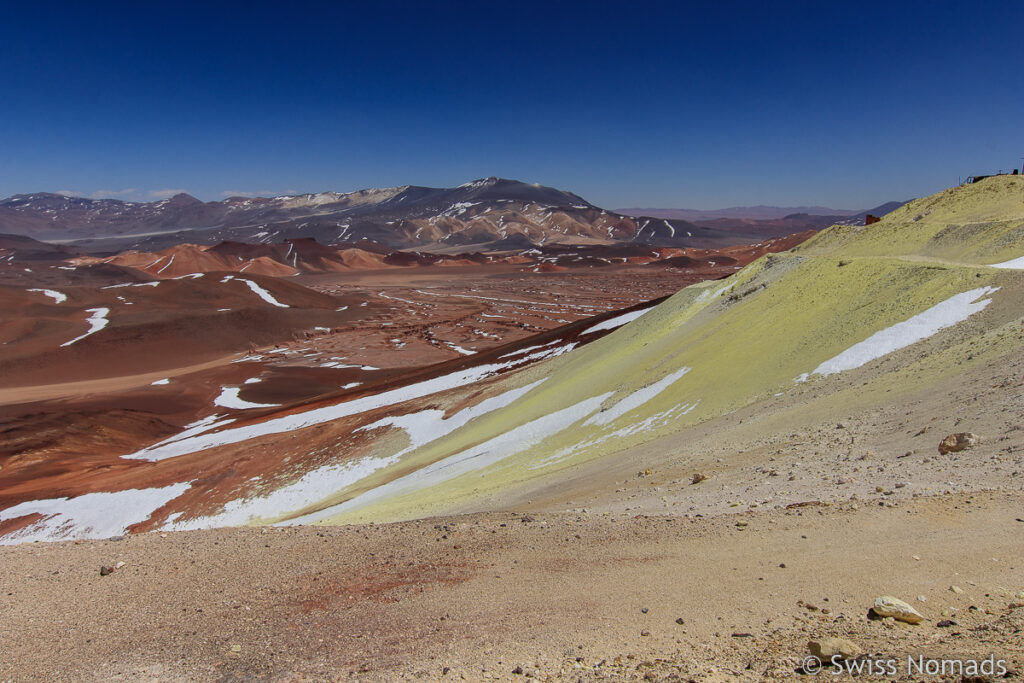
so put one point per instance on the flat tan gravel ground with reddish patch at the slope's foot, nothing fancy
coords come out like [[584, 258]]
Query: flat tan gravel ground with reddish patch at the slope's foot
[[502, 596]]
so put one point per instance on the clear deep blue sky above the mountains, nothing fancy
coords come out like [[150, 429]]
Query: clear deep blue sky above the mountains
[[699, 105]]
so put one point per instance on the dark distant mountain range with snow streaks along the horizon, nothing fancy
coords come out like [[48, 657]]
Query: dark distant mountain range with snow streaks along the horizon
[[487, 215]]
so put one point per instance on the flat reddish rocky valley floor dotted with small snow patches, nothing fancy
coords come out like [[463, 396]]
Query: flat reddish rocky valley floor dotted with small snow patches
[[431, 316]]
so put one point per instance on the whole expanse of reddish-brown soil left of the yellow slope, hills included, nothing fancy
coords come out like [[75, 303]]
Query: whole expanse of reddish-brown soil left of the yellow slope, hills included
[[68, 413]]
